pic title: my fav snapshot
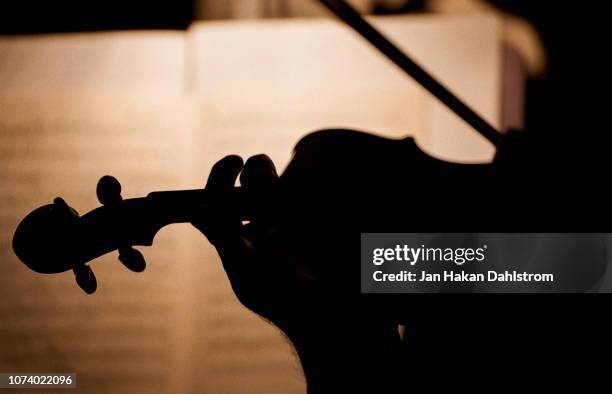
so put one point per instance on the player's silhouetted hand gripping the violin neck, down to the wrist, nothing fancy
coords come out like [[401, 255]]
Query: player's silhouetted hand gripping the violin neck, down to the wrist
[[263, 272]]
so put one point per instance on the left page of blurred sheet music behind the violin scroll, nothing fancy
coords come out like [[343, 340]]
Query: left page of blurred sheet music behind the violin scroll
[[123, 338]]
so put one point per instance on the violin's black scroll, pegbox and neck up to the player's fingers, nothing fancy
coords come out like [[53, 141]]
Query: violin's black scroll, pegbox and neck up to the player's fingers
[[54, 239]]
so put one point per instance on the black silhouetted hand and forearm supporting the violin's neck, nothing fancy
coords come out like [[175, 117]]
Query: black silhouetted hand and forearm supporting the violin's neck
[[266, 271]]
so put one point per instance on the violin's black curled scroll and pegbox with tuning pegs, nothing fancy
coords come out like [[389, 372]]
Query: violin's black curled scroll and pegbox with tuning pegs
[[54, 238]]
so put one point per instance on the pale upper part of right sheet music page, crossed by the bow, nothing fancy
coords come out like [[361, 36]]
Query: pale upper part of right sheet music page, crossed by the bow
[[263, 83]]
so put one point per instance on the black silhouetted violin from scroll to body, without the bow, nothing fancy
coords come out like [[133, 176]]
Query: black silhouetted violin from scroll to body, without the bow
[[324, 179]]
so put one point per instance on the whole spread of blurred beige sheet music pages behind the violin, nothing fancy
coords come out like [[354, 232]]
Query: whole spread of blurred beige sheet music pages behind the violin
[[156, 110]]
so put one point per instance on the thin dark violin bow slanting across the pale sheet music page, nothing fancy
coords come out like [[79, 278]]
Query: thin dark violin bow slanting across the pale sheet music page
[[352, 18]]
